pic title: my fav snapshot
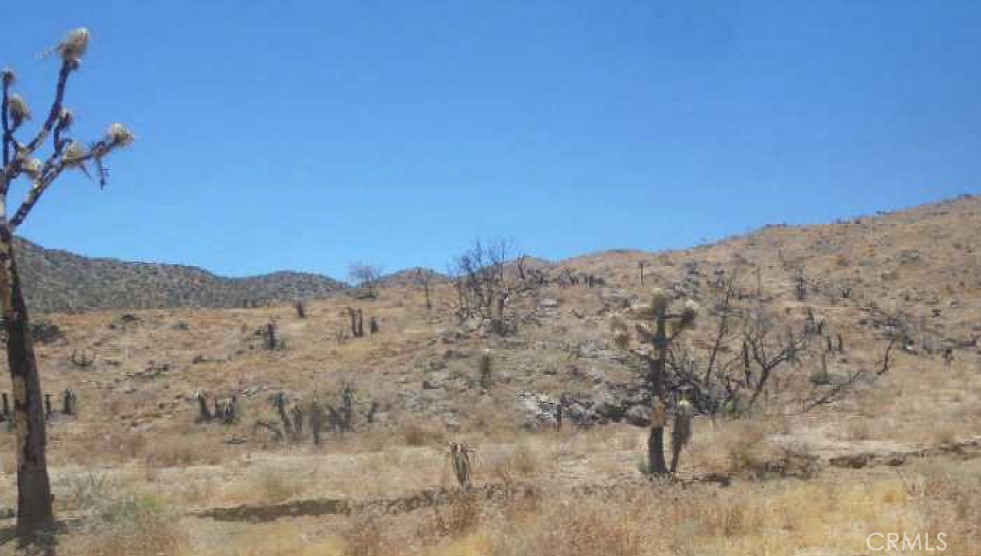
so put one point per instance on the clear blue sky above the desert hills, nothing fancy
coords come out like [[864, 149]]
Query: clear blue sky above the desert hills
[[307, 134]]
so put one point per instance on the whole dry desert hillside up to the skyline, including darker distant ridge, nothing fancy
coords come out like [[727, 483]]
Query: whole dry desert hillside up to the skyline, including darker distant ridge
[[871, 421]]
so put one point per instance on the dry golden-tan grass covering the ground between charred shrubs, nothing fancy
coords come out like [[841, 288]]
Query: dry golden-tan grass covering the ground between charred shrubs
[[136, 435]]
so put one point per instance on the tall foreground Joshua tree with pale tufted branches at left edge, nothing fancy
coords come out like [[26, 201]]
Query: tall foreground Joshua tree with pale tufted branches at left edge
[[20, 159]]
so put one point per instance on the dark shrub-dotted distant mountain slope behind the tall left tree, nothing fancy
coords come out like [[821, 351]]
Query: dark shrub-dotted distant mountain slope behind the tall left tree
[[57, 280]]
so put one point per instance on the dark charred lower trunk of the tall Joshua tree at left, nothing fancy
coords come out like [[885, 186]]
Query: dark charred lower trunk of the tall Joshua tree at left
[[35, 519]]
